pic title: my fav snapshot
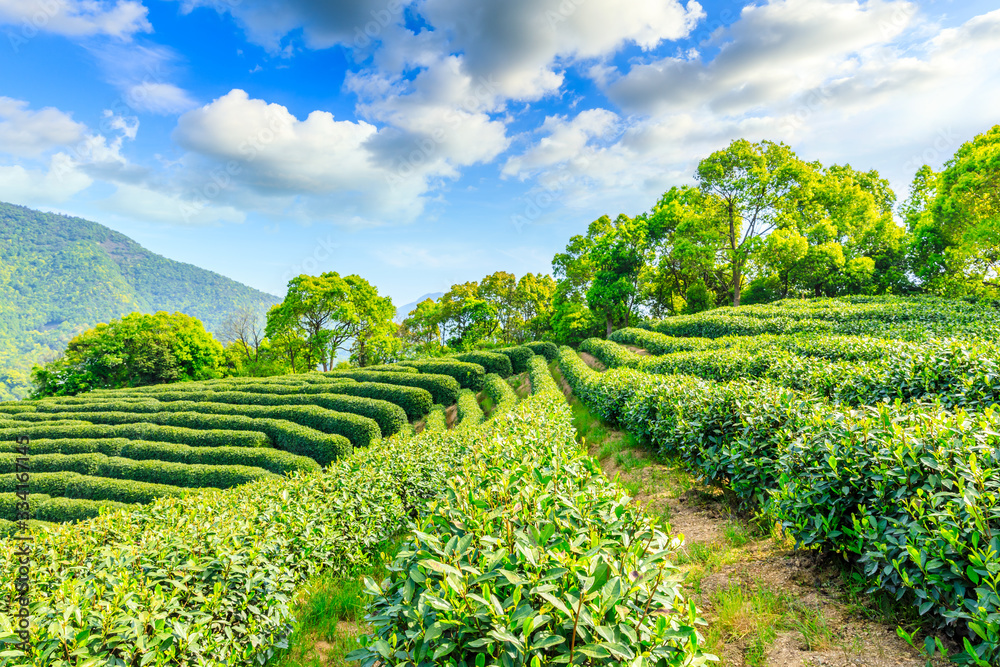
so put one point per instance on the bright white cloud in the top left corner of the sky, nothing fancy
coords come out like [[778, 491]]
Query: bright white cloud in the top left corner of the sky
[[73, 18]]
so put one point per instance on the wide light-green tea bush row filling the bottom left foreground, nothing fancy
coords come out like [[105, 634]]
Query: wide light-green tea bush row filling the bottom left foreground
[[239, 556]]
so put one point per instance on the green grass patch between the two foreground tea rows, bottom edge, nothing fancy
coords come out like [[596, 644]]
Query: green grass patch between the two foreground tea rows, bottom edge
[[330, 615]]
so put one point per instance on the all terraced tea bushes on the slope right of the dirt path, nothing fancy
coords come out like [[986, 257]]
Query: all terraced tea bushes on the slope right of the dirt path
[[868, 428]]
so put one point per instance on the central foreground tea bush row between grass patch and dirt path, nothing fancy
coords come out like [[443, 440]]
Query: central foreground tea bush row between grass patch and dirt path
[[532, 557]]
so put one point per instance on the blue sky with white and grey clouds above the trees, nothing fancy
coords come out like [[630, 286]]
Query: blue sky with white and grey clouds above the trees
[[422, 143]]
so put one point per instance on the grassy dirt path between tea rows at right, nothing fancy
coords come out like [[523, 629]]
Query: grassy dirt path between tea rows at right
[[767, 604]]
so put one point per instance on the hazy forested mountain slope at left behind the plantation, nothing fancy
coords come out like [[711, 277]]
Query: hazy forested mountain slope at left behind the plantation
[[60, 275]]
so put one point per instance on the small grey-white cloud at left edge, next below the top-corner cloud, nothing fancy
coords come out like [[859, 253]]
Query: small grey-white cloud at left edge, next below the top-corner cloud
[[27, 133]]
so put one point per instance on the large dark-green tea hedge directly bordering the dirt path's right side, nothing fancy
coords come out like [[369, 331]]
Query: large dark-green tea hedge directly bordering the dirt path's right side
[[887, 485]]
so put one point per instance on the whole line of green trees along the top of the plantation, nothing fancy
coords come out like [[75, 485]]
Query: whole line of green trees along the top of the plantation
[[758, 224]]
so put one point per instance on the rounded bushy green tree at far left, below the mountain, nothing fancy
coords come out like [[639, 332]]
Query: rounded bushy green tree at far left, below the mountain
[[134, 351]]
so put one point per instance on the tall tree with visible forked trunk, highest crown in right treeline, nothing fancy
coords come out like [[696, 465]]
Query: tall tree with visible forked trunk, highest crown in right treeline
[[752, 183]]
